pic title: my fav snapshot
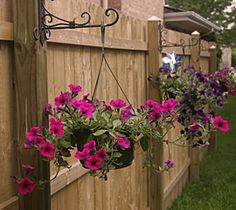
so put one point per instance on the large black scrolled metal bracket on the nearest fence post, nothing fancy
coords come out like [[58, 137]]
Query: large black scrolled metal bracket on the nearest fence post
[[46, 22]]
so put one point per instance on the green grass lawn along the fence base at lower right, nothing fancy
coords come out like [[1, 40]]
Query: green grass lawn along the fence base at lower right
[[216, 189]]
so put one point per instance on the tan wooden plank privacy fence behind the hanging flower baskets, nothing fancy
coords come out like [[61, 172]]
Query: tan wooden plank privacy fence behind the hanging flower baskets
[[73, 56]]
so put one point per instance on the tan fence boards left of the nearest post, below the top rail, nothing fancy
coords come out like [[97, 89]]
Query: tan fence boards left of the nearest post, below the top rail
[[7, 123]]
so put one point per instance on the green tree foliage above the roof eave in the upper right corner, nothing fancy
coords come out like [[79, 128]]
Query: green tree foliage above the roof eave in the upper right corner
[[215, 11]]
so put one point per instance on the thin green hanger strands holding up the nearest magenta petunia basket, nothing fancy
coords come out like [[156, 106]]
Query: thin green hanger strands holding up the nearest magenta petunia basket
[[107, 64]]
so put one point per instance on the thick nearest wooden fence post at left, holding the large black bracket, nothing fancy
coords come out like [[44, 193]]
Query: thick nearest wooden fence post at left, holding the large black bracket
[[30, 77]]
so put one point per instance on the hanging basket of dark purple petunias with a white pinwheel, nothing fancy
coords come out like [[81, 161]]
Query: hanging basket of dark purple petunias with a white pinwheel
[[199, 95]]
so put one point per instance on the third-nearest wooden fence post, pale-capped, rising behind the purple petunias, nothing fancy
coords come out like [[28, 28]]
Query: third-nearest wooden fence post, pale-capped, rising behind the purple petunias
[[195, 62]]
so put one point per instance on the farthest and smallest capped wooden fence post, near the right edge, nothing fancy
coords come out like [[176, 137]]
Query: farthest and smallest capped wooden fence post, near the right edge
[[212, 69]]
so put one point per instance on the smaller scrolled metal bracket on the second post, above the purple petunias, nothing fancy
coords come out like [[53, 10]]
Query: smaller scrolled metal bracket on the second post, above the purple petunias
[[165, 43]]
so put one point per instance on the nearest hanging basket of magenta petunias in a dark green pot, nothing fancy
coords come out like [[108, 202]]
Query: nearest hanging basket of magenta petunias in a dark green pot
[[103, 136]]
